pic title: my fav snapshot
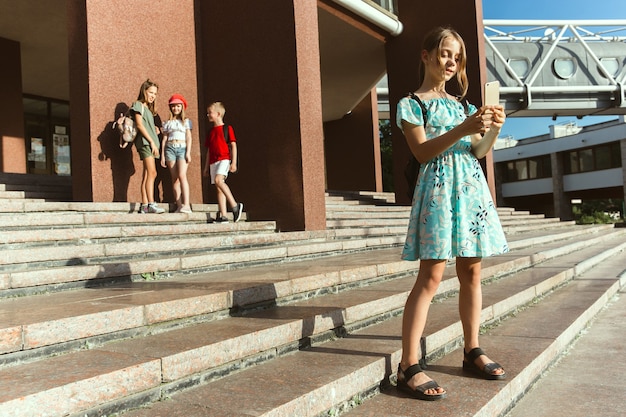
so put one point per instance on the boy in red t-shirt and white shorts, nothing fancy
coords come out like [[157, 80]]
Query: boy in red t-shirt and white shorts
[[221, 159]]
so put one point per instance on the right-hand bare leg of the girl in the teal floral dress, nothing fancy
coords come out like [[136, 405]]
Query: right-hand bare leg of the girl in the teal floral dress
[[470, 305]]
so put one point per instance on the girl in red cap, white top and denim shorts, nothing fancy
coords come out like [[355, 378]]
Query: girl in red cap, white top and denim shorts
[[176, 150]]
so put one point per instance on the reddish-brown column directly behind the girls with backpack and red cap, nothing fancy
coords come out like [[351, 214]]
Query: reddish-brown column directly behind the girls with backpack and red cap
[[105, 77]]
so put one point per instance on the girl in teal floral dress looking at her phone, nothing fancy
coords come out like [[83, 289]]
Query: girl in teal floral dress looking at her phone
[[453, 215]]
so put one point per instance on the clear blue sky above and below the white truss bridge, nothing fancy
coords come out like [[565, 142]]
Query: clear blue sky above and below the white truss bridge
[[558, 10]]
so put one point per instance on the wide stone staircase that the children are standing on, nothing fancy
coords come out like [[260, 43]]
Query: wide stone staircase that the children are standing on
[[108, 312]]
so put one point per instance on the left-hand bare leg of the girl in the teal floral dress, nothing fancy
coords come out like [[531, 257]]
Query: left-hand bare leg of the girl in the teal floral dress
[[414, 318]]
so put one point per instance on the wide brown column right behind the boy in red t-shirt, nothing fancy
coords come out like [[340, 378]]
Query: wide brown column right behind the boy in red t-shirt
[[263, 61]]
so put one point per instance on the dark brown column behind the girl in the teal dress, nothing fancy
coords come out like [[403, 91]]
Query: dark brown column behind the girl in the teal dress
[[403, 58]]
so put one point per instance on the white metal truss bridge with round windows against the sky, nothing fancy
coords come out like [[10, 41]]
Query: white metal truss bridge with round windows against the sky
[[558, 68]]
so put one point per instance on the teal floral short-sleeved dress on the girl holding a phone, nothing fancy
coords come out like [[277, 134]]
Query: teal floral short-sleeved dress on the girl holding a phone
[[453, 214]]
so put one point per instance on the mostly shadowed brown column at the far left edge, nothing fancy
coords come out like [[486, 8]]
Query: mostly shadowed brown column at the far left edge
[[12, 141]]
